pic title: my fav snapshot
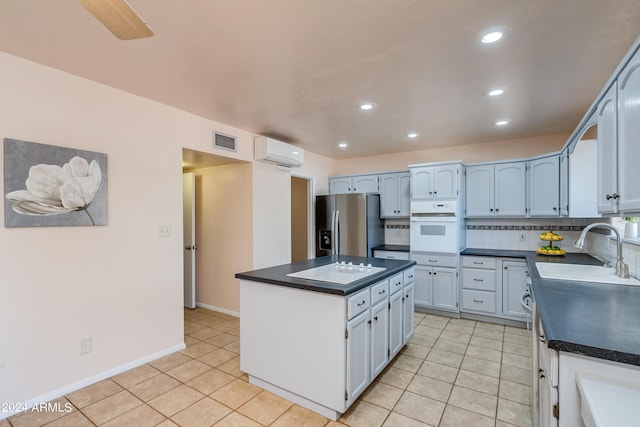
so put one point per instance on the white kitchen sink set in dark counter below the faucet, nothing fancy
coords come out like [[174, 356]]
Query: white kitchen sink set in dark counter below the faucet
[[582, 273]]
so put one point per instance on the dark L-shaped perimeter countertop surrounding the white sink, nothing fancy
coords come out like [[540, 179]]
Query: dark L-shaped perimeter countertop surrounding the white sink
[[593, 319]]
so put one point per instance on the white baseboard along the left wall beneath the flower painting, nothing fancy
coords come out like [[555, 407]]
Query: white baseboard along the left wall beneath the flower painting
[[94, 379]]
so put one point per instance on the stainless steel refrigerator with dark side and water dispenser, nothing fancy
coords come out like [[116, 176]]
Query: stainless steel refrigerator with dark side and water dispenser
[[348, 224]]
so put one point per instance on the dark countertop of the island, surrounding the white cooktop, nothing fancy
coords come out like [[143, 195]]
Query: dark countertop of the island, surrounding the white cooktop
[[278, 275]]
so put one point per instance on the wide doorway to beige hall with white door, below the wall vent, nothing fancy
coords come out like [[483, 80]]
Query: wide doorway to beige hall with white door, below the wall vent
[[220, 229]]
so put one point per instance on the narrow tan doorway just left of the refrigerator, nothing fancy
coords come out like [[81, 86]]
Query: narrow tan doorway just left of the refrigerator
[[301, 218]]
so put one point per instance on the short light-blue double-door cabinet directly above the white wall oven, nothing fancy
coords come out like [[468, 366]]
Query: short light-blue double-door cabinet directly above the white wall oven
[[435, 182]]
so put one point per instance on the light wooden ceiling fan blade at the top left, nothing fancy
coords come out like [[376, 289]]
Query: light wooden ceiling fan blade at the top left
[[119, 17]]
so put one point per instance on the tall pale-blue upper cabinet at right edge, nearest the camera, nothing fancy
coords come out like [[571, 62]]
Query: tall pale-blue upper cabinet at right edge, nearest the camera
[[618, 115]]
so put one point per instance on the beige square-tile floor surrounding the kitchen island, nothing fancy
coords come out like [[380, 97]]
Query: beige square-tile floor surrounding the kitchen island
[[452, 373]]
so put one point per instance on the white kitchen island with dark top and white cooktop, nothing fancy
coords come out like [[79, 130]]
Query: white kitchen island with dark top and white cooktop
[[320, 343]]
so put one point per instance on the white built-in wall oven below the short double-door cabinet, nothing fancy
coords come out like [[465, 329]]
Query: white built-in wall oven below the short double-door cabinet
[[435, 227]]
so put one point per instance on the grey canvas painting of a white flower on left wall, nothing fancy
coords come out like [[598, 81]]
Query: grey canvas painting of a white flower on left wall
[[46, 185]]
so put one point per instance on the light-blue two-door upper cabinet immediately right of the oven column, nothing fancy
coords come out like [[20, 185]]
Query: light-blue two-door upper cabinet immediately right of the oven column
[[496, 190]]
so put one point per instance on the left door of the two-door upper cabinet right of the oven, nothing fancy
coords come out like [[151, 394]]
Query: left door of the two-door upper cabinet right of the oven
[[479, 190]]
